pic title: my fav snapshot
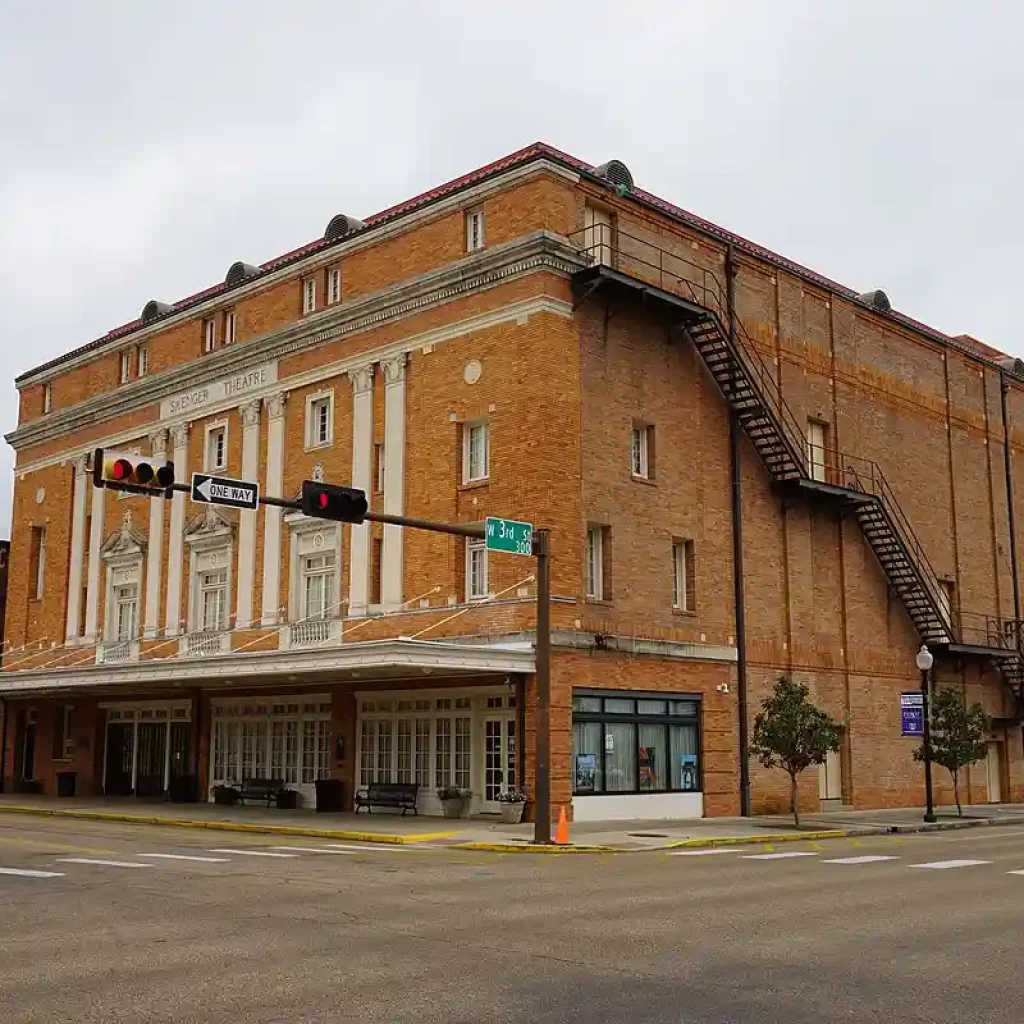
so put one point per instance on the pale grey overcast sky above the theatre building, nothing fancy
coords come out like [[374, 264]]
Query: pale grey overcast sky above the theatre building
[[147, 146]]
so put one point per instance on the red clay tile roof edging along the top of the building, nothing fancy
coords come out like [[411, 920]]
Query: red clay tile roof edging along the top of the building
[[524, 156]]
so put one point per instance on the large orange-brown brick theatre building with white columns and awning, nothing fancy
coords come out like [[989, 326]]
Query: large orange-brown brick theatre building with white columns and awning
[[748, 471]]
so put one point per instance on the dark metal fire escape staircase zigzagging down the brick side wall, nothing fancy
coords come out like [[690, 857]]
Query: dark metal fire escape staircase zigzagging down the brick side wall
[[634, 270]]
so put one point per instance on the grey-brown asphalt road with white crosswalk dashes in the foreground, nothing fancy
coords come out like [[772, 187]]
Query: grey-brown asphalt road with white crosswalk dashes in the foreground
[[324, 932]]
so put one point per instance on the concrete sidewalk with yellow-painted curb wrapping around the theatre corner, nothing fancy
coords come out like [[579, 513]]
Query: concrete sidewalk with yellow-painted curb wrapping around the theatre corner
[[493, 836]]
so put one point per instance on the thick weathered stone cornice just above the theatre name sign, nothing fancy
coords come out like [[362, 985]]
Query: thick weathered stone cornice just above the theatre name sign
[[540, 251]]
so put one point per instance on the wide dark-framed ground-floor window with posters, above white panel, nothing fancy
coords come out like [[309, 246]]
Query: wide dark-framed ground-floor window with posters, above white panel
[[635, 745]]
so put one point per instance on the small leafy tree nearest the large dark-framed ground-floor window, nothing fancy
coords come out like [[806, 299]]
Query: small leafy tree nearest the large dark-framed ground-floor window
[[791, 733]]
